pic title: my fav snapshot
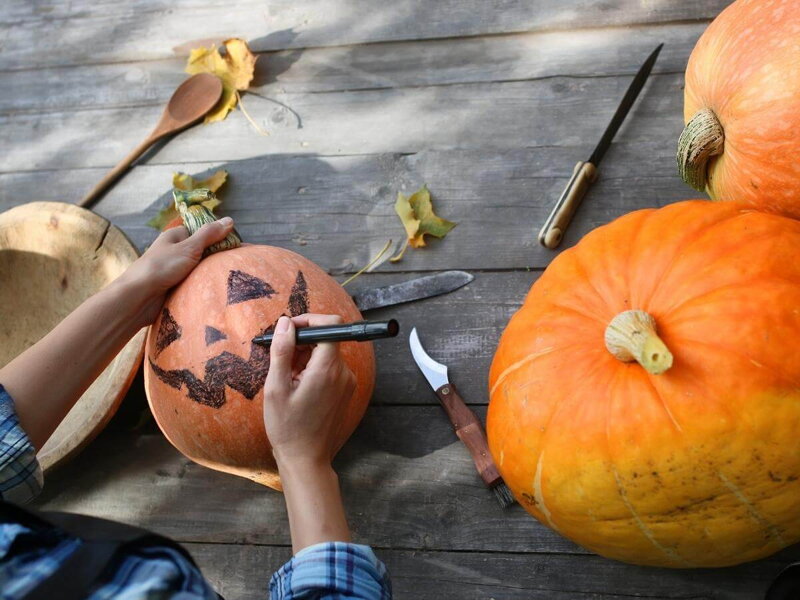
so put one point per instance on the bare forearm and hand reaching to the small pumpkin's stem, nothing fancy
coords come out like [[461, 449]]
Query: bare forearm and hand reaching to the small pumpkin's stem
[[83, 344]]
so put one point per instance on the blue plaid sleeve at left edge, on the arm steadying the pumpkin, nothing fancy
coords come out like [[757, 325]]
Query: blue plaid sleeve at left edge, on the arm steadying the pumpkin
[[20, 473]]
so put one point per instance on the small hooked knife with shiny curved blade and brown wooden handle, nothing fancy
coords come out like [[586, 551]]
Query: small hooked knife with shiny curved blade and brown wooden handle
[[465, 422]]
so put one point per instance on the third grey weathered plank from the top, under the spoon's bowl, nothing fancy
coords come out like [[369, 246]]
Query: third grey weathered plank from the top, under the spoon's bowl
[[551, 112]]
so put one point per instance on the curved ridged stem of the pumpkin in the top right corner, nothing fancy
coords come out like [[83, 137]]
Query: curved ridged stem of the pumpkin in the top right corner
[[701, 139]]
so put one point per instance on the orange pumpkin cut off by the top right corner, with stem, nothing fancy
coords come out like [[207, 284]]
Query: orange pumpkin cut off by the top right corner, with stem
[[742, 107]]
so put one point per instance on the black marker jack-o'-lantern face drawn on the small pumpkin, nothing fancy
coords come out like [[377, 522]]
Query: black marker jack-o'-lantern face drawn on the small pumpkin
[[226, 369]]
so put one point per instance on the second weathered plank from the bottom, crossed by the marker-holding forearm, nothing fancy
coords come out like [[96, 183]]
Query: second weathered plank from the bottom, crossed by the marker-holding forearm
[[406, 480]]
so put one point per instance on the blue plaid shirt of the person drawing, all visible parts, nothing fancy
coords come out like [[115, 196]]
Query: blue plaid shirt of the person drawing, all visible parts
[[324, 571]]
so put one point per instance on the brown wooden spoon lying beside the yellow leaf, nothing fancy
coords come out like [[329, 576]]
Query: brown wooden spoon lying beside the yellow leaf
[[190, 103]]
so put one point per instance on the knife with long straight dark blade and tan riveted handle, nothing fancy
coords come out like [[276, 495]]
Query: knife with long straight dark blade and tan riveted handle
[[585, 173]]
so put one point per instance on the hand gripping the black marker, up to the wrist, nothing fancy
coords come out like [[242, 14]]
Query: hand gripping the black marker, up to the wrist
[[305, 395]]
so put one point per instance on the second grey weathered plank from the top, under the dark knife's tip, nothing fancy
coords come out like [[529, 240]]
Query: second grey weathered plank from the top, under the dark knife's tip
[[593, 52]]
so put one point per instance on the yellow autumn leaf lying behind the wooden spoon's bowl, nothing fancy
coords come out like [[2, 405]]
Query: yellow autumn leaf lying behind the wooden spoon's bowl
[[235, 69]]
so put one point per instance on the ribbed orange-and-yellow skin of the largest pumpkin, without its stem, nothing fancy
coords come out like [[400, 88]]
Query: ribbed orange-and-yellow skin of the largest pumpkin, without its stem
[[698, 466]]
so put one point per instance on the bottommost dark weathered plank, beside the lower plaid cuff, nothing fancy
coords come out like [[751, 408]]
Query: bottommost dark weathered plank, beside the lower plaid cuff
[[242, 572]]
